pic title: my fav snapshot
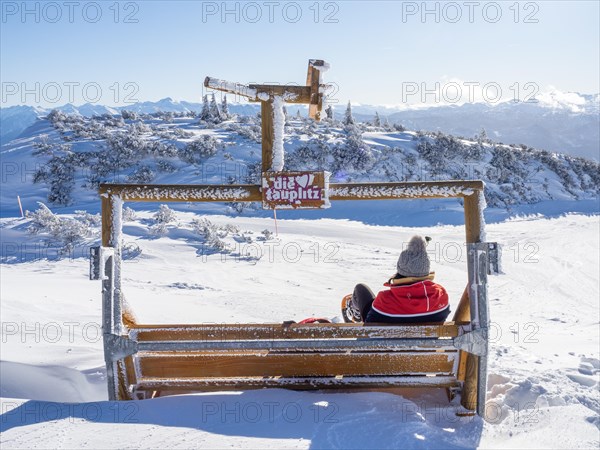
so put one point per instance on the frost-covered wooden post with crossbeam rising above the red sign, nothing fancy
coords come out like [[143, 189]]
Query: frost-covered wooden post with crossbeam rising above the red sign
[[272, 98]]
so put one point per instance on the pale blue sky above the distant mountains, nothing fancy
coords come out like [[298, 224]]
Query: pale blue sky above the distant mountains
[[379, 51]]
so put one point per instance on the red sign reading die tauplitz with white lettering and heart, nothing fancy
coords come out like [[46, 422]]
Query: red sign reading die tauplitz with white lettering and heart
[[295, 190]]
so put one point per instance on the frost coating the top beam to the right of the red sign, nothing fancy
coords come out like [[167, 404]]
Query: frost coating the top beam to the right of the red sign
[[399, 191]]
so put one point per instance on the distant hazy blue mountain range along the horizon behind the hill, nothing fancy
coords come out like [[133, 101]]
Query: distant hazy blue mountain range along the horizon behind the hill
[[561, 122]]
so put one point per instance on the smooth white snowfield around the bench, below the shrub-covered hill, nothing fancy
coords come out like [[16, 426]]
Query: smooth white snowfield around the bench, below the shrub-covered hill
[[544, 366]]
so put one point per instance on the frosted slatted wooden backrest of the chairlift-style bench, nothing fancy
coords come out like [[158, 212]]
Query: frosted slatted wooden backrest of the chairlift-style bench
[[171, 358]]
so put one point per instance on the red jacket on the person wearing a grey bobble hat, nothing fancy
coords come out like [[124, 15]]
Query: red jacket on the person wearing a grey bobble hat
[[411, 300]]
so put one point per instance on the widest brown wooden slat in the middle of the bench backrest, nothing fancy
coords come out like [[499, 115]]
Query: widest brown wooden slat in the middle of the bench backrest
[[295, 364]]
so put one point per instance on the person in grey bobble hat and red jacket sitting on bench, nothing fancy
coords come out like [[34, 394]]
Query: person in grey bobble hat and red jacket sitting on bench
[[412, 295]]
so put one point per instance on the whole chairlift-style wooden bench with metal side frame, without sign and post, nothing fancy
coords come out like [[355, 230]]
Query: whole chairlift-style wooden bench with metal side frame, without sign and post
[[145, 360]]
